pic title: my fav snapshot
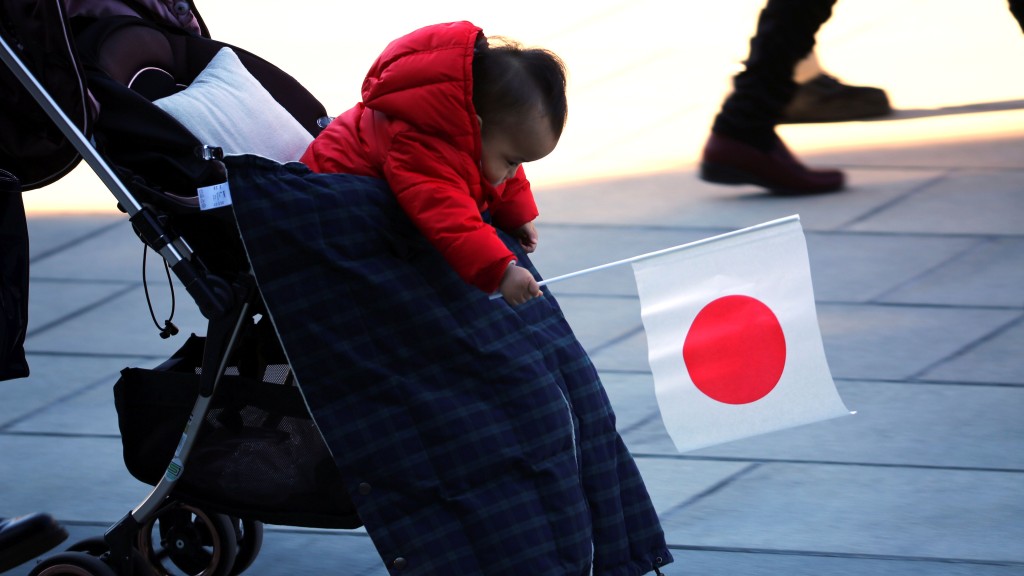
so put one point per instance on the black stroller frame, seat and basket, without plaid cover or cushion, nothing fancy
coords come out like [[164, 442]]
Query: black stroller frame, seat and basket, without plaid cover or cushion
[[254, 456]]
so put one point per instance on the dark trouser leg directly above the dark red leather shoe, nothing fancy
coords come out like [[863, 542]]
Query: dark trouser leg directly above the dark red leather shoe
[[785, 35]]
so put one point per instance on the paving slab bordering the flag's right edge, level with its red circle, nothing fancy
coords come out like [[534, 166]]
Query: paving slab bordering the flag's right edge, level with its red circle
[[888, 343]]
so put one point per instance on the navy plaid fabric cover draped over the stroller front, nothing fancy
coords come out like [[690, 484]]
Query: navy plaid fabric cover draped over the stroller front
[[476, 438]]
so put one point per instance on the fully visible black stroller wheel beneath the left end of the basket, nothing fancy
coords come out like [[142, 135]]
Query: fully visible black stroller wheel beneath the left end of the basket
[[186, 541]]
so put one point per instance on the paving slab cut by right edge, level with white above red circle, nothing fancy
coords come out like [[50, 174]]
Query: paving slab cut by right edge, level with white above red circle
[[992, 273]]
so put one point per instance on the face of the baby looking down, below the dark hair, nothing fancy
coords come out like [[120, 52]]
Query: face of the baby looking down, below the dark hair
[[507, 147]]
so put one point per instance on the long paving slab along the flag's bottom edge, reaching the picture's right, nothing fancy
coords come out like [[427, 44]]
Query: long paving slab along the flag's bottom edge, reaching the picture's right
[[898, 424]]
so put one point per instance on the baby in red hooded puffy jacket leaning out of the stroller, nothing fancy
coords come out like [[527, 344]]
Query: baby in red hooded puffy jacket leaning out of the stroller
[[449, 120]]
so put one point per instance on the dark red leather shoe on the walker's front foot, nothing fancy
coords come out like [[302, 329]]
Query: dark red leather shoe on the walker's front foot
[[729, 161]]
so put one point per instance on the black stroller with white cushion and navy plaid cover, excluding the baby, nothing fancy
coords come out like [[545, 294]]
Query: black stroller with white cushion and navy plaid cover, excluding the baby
[[467, 436]]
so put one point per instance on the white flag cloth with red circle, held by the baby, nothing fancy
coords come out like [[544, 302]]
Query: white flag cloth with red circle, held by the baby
[[734, 338]]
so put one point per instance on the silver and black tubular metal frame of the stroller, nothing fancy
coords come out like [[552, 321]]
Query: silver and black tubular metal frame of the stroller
[[227, 306]]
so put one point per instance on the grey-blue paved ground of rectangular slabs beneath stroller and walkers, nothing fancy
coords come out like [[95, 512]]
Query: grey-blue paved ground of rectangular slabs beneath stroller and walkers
[[919, 275]]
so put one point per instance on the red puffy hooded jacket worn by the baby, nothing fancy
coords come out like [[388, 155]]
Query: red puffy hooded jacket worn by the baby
[[417, 129]]
